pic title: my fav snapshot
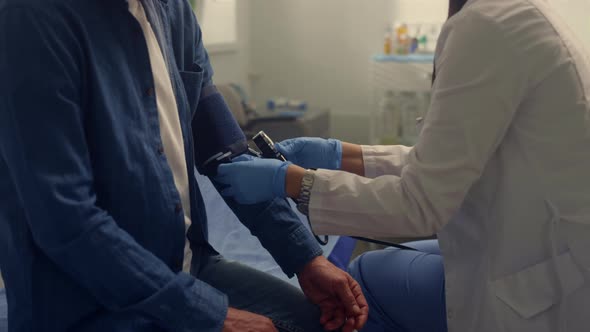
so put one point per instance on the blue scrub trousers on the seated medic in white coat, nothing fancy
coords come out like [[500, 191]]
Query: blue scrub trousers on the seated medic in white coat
[[405, 289]]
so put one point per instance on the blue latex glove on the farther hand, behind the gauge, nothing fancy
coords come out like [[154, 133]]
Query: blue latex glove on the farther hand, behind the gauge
[[309, 152]]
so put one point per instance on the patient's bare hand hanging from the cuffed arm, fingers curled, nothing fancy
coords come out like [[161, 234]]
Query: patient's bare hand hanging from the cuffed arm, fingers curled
[[337, 294]]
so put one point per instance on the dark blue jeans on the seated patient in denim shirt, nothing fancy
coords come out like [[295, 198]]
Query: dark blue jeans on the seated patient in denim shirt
[[247, 289]]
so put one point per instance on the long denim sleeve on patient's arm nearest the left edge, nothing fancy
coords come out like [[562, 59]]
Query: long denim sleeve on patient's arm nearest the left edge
[[42, 140]]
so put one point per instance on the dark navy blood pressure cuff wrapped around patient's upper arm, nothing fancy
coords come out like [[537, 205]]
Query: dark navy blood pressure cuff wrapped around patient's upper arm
[[216, 134]]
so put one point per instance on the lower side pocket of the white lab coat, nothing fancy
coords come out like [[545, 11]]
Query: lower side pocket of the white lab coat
[[536, 289]]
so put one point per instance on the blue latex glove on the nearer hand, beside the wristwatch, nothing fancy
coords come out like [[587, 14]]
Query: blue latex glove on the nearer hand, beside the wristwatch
[[251, 180]]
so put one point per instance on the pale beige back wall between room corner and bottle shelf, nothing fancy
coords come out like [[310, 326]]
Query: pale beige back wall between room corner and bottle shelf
[[316, 50]]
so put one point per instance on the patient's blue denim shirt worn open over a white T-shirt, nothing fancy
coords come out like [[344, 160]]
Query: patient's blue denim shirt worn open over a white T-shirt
[[91, 226]]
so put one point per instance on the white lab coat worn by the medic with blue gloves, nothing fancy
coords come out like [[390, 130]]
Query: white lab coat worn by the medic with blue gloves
[[500, 173]]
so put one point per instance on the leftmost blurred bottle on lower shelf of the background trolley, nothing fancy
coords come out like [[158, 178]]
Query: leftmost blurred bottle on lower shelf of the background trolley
[[389, 119]]
